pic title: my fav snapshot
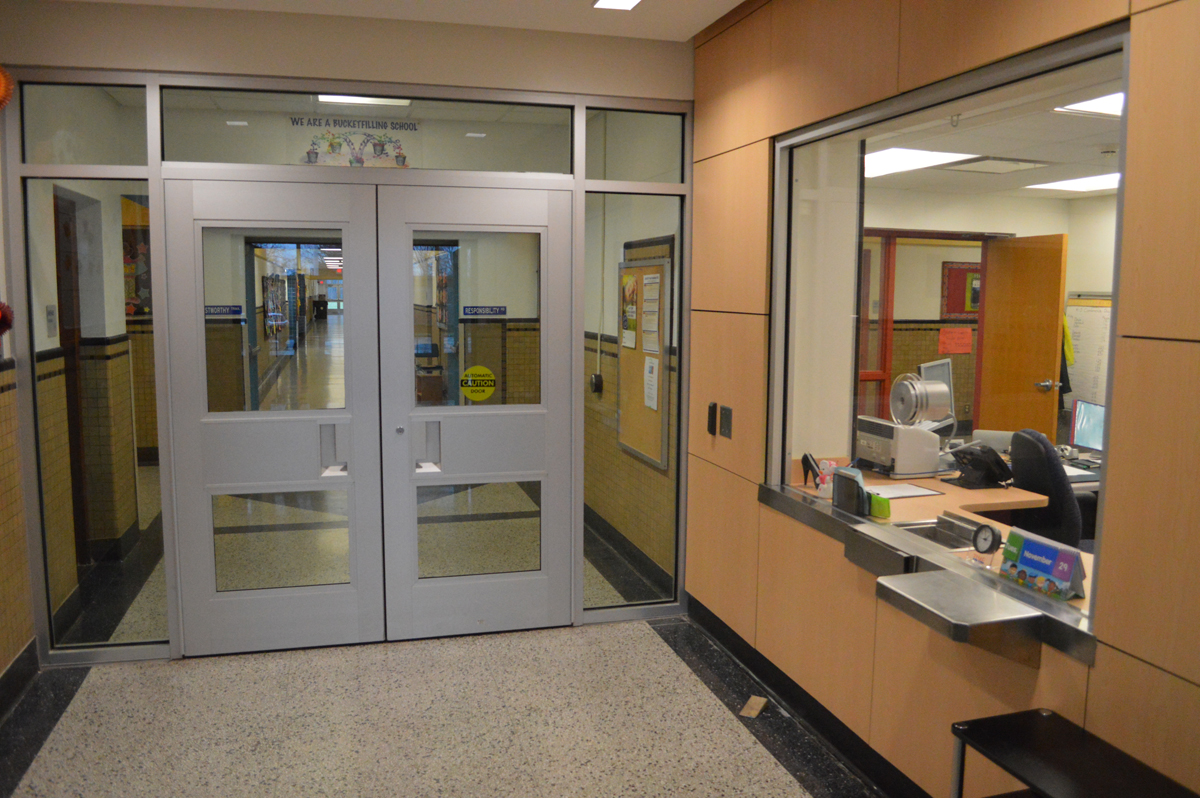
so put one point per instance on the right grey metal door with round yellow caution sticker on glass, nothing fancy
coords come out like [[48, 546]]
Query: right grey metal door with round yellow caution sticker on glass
[[476, 387]]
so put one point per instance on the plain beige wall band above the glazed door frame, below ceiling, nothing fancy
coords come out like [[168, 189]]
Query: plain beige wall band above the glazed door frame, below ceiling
[[349, 49]]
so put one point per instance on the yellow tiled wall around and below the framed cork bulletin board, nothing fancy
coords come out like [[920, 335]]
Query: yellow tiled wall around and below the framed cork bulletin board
[[628, 493]]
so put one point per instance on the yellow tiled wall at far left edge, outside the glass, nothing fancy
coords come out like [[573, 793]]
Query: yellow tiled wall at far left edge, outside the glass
[[16, 610]]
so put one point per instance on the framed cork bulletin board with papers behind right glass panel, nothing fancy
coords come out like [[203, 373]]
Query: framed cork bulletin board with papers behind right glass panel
[[644, 350]]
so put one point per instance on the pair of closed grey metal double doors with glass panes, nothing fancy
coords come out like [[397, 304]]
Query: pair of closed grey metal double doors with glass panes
[[394, 465]]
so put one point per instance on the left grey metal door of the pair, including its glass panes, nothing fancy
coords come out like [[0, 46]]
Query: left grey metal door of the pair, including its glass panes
[[275, 415]]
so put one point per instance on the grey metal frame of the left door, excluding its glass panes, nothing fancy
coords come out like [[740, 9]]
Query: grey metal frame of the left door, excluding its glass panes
[[275, 619]]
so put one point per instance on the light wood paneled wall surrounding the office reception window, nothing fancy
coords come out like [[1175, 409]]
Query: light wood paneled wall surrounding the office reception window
[[779, 65]]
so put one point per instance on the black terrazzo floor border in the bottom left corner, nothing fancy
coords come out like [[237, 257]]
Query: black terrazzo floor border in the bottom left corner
[[27, 729]]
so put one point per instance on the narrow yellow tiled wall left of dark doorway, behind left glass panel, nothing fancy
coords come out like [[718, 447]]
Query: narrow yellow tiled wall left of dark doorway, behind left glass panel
[[55, 453]]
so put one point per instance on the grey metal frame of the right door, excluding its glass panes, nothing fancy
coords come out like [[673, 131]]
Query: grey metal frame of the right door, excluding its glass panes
[[499, 602]]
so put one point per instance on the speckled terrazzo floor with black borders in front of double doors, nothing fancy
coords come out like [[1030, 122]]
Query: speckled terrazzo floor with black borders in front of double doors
[[613, 710]]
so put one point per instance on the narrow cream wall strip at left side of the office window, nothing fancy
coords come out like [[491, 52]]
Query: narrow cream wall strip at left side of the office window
[[824, 275]]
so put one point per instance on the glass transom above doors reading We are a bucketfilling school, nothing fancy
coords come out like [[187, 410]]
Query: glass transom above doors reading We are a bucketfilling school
[[224, 127]]
